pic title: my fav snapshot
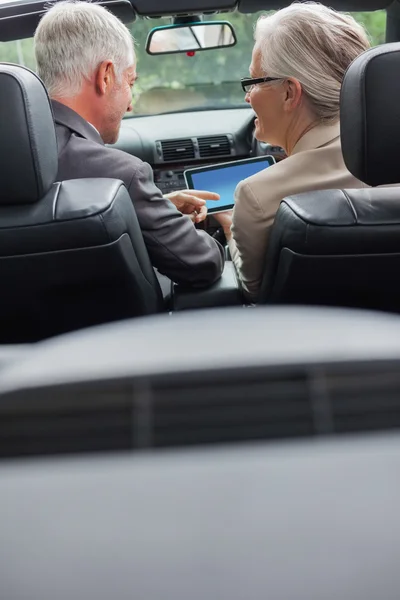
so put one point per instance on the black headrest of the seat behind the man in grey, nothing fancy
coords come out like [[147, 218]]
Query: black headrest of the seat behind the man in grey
[[28, 146]]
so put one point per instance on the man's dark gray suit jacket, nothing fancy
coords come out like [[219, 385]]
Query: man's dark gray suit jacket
[[176, 248]]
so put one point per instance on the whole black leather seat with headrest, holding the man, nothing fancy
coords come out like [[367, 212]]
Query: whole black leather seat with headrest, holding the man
[[71, 253]]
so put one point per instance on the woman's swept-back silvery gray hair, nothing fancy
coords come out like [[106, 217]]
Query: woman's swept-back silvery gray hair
[[315, 45]]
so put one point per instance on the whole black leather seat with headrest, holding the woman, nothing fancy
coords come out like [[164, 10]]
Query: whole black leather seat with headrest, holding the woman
[[342, 247]]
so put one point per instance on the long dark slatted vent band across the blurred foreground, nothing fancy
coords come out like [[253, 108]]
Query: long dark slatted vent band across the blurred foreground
[[182, 411]]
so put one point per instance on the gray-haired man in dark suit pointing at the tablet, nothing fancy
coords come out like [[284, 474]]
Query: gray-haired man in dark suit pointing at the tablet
[[85, 57]]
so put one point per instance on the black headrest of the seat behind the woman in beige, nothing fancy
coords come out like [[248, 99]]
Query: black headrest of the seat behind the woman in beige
[[370, 116]]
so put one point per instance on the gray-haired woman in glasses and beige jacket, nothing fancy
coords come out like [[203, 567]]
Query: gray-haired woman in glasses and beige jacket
[[299, 59]]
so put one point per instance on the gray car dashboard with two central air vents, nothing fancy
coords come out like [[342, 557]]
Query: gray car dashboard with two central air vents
[[174, 142]]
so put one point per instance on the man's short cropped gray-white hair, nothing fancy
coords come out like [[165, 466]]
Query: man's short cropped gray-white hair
[[73, 39]]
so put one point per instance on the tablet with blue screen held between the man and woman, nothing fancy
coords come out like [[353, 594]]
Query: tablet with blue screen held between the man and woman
[[223, 179]]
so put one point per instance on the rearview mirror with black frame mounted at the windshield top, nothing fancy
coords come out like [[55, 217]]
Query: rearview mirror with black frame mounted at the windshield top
[[194, 37]]
